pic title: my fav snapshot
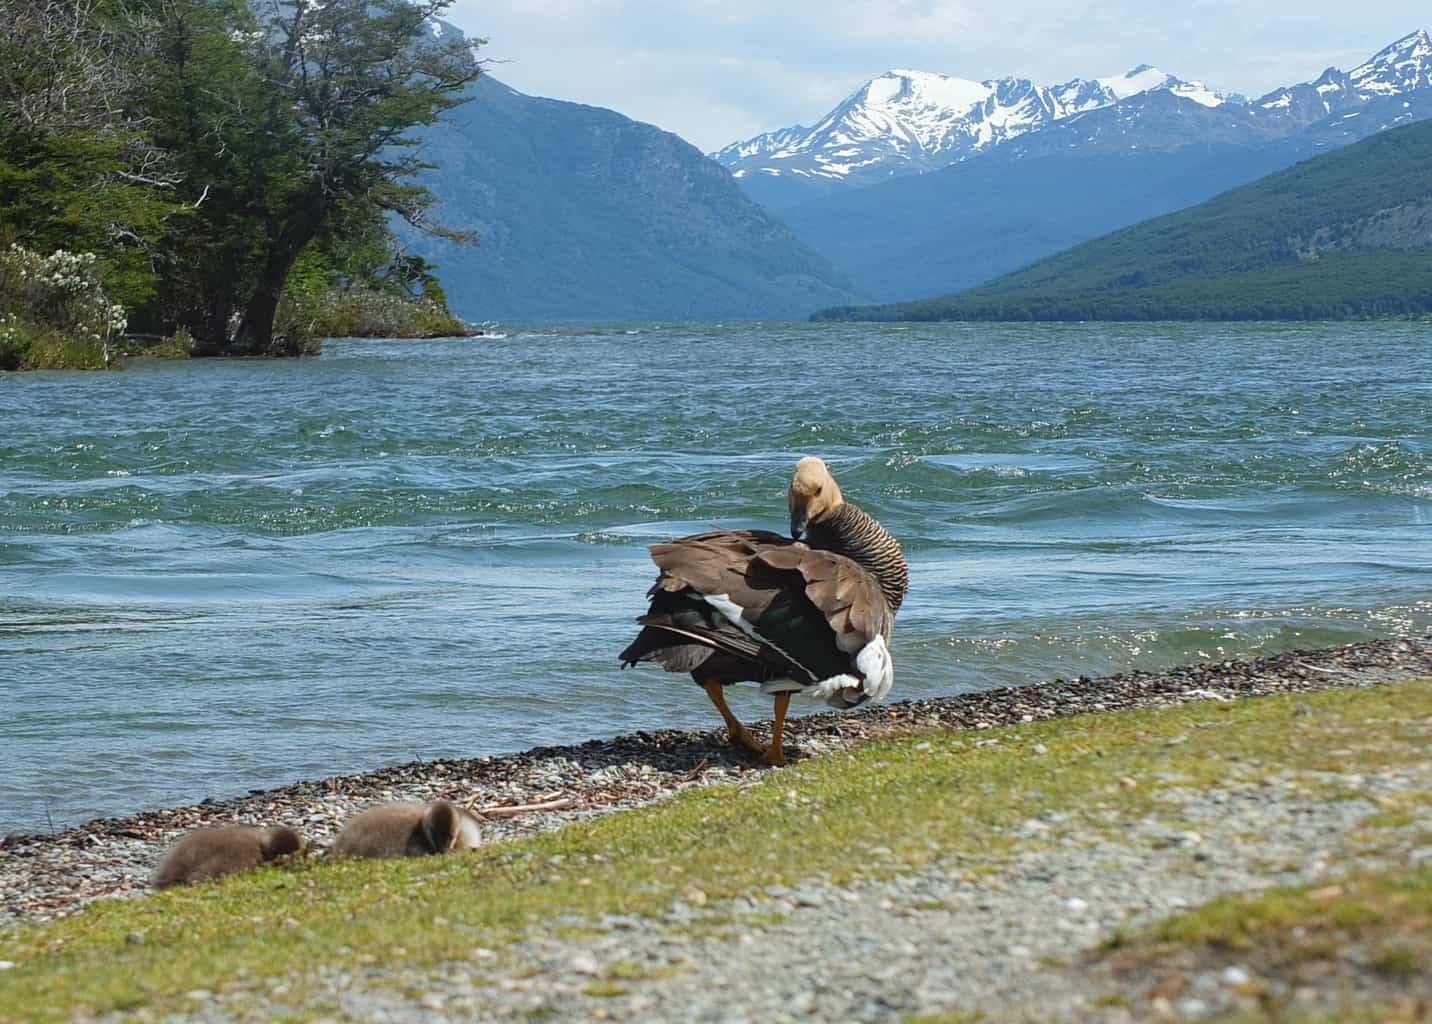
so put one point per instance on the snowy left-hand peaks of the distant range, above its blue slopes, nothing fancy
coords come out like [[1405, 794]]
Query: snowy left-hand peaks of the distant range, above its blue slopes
[[909, 122]]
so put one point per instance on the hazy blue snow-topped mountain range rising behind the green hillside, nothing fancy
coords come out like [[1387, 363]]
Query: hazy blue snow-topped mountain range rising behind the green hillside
[[1068, 180]]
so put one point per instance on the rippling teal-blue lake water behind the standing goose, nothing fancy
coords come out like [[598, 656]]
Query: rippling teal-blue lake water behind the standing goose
[[227, 575]]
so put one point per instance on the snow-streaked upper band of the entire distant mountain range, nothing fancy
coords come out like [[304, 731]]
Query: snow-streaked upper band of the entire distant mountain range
[[910, 122]]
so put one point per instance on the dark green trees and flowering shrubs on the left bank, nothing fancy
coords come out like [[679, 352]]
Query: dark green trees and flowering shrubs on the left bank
[[218, 174]]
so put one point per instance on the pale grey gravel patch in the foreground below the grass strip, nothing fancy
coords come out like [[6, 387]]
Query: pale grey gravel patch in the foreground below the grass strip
[[1012, 946]]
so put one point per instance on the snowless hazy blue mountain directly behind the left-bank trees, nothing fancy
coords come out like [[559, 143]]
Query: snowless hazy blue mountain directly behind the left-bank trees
[[585, 214]]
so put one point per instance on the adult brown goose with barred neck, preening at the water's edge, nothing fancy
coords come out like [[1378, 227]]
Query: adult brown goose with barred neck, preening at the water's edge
[[810, 618]]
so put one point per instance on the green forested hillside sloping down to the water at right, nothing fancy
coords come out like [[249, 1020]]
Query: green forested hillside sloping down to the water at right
[[1344, 236]]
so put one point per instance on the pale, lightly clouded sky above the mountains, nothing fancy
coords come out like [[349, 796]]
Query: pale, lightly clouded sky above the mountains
[[721, 71]]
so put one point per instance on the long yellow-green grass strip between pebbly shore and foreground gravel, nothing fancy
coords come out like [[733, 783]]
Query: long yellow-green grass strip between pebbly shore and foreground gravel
[[887, 807]]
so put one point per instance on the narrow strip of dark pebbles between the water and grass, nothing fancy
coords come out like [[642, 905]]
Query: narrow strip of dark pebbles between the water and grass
[[52, 876]]
